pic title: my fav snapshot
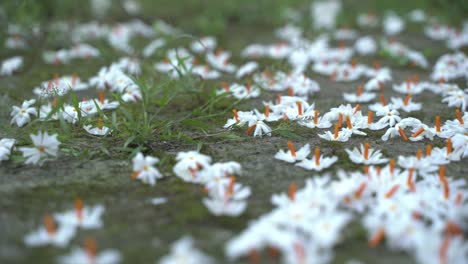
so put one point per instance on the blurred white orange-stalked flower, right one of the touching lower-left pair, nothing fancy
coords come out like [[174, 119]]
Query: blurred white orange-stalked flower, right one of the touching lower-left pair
[[83, 216]]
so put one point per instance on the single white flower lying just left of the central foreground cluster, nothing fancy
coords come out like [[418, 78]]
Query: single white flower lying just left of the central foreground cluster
[[144, 170]]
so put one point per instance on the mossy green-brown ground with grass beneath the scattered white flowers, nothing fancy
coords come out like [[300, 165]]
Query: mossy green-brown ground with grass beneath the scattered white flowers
[[98, 169]]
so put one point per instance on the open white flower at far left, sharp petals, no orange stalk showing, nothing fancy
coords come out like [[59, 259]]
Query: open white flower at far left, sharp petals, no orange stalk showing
[[45, 145]]
